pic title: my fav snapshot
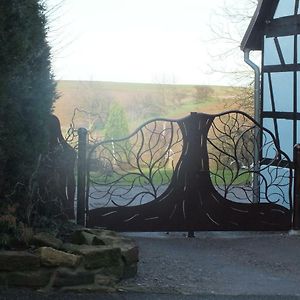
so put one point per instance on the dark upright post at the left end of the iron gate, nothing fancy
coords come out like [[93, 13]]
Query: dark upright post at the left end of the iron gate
[[81, 176]]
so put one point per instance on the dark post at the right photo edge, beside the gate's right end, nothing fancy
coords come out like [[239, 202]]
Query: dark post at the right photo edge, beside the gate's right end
[[296, 212]]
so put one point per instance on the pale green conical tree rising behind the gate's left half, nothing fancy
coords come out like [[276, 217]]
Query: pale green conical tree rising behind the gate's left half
[[116, 125]]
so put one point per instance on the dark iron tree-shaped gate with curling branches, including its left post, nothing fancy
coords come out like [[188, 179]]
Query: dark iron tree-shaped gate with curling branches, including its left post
[[202, 172]]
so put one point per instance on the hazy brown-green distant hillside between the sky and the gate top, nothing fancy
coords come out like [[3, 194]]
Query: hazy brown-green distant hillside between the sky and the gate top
[[140, 101]]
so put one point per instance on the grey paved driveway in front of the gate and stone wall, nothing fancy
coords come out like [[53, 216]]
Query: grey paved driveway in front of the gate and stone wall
[[211, 266]]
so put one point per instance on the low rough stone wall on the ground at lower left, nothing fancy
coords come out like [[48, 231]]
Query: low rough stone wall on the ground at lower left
[[93, 259]]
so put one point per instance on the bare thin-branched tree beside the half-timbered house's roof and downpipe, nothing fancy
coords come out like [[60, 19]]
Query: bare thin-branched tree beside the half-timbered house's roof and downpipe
[[233, 19]]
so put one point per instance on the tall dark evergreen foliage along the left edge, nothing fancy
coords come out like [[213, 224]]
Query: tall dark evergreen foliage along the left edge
[[27, 92]]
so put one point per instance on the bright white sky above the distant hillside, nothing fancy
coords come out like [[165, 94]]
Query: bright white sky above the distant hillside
[[154, 41]]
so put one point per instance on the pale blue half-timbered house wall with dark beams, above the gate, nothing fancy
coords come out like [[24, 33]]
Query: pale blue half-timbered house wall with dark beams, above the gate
[[281, 76]]
